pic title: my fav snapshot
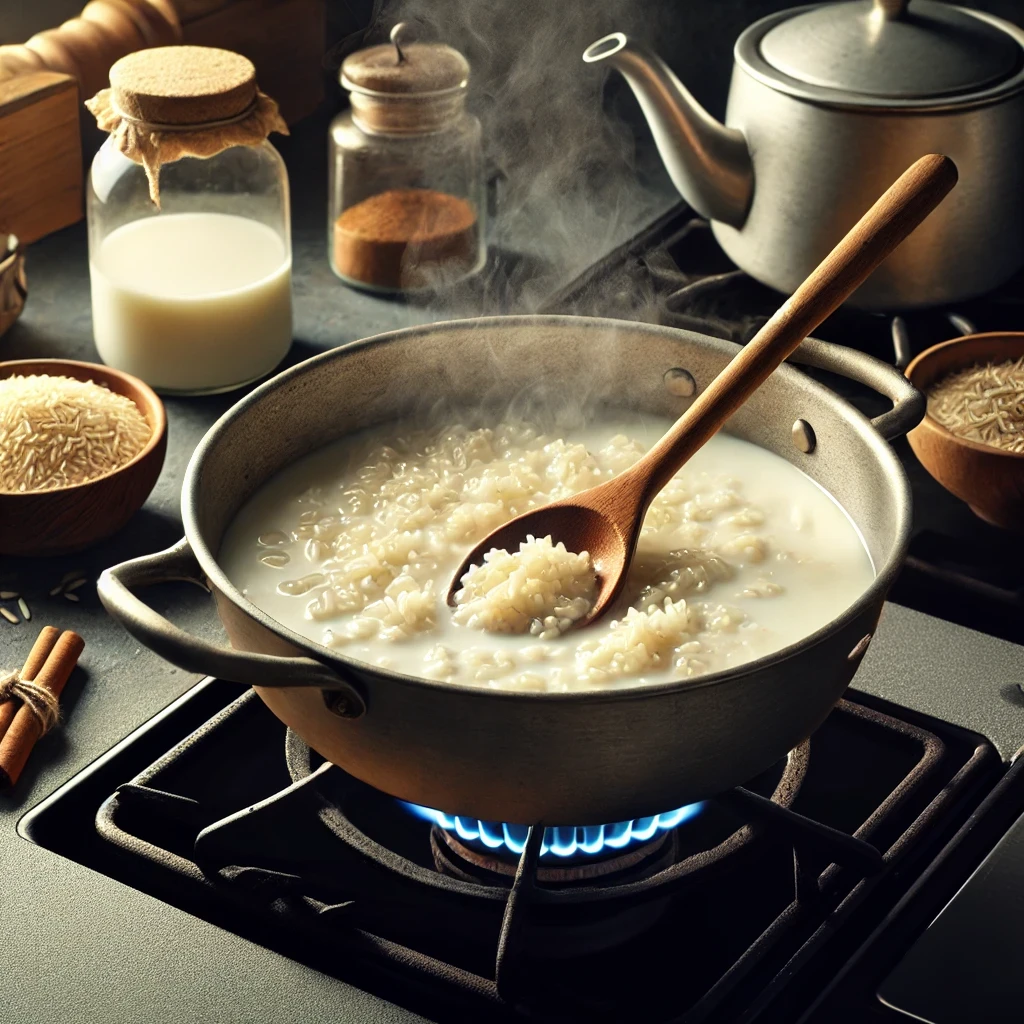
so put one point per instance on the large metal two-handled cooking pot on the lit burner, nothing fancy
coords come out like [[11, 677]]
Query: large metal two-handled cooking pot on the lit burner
[[583, 758]]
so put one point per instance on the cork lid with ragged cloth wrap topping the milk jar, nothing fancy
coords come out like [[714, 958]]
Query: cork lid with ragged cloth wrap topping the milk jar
[[174, 102]]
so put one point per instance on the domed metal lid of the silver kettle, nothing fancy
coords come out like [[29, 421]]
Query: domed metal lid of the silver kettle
[[899, 50]]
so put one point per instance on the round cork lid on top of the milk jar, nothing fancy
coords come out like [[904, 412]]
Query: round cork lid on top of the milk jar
[[184, 86]]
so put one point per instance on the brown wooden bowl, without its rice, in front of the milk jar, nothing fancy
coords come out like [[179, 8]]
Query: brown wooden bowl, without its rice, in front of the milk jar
[[57, 523]]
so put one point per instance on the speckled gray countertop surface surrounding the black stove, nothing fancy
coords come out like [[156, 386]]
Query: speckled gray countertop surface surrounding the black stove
[[83, 949]]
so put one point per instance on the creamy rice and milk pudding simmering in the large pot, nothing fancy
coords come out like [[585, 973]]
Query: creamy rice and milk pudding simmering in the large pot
[[355, 546]]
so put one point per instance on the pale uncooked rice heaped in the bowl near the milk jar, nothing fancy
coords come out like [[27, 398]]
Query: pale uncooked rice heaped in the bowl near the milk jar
[[58, 433]]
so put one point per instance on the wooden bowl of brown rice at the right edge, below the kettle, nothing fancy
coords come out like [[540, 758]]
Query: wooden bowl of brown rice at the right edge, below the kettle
[[972, 440]]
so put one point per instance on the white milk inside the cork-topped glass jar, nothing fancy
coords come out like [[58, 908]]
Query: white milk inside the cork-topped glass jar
[[193, 303]]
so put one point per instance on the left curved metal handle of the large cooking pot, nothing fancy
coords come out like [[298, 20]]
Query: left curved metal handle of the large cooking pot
[[189, 653]]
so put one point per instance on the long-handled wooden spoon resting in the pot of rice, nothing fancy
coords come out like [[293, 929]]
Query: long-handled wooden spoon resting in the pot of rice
[[606, 521]]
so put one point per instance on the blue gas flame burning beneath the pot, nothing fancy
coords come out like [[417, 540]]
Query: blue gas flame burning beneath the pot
[[560, 842]]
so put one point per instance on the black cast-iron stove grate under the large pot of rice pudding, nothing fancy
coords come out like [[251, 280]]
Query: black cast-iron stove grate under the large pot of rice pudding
[[368, 912]]
